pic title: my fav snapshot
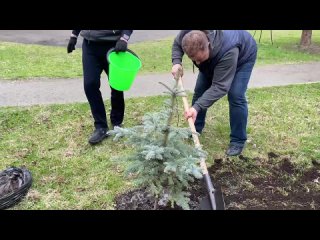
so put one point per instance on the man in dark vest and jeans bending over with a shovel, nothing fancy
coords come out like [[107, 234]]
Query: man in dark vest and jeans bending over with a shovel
[[225, 60]]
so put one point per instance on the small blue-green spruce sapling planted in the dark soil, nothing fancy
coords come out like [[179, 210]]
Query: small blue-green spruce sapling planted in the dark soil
[[162, 159]]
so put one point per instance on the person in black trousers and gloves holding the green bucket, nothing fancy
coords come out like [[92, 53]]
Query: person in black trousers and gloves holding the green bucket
[[96, 44]]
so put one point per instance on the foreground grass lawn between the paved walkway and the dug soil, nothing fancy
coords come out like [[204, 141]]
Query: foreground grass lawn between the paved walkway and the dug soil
[[51, 141]]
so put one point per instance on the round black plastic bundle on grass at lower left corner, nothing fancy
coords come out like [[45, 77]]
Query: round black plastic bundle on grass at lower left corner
[[14, 185]]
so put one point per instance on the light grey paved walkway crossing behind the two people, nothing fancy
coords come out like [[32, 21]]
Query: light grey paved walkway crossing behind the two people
[[48, 91]]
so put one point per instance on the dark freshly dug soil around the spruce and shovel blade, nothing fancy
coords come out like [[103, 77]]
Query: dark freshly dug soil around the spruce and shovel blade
[[273, 183]]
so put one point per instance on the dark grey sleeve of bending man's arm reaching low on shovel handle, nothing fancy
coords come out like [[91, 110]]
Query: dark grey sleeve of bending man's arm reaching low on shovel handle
[[222, 79]]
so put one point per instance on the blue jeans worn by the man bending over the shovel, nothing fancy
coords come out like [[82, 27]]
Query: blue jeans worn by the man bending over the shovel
[[238, 106]]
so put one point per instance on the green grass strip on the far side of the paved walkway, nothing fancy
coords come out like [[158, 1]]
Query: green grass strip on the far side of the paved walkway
[[24, 61]]
